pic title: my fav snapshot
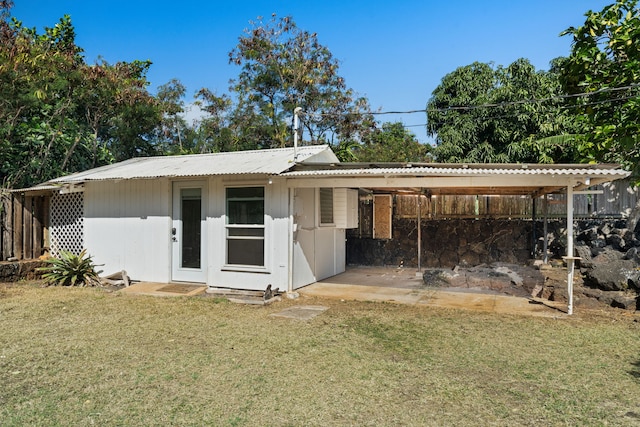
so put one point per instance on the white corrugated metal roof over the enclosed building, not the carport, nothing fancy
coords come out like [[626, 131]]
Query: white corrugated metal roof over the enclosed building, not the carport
[[269, 162]]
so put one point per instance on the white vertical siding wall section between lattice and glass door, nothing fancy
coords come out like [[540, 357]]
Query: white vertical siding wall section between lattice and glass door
[[127, 227]]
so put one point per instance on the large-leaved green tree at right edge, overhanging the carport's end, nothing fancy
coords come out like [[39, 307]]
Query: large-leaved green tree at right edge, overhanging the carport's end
[[604, 64]]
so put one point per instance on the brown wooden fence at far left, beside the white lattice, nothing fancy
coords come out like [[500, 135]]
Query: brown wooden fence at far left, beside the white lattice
[[24, 226]]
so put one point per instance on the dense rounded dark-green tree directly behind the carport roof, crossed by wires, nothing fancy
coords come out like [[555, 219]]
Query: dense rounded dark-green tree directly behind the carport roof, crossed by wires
[[483, 114]]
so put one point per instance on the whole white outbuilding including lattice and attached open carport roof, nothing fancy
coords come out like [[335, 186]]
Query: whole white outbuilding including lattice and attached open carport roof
[[250, 219]]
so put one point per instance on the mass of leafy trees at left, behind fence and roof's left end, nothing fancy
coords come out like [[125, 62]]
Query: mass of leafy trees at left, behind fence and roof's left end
[[60, 115]]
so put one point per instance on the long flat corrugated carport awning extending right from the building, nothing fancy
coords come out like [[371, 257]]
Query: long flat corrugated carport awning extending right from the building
[[500, 179]]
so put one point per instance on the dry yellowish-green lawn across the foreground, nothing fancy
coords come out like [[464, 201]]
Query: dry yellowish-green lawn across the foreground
[[88, 357]]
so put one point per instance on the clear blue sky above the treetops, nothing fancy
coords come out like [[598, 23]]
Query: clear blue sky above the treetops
[[393, 52]]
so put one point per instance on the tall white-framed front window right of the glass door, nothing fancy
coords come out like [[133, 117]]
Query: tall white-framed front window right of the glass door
[[245, 226]]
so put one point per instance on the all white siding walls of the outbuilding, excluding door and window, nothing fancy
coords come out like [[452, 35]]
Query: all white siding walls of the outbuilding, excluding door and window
[[128, 227]]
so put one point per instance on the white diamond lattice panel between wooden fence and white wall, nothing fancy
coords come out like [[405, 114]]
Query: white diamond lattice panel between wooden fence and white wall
[[67, 223]]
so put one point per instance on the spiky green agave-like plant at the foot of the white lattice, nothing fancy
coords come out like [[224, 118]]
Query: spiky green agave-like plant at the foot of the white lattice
[[71, 270]]
